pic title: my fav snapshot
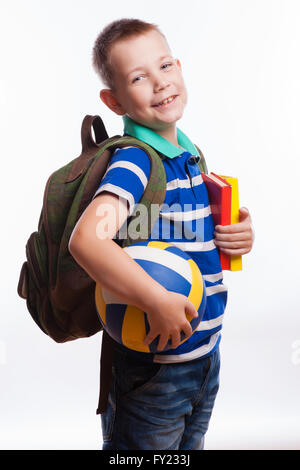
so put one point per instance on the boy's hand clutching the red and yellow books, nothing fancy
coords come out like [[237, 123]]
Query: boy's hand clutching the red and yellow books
[[236, 239]]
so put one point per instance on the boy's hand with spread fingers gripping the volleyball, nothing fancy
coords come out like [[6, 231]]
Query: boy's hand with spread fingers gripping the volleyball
[[169, 318]]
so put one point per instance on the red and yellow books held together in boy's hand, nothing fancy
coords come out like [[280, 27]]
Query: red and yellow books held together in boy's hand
[[224, 201]]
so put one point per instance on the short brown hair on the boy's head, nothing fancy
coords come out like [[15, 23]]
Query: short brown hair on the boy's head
[[113, 32]]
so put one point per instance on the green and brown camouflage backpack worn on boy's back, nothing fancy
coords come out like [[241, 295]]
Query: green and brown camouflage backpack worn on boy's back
[[58, 292]]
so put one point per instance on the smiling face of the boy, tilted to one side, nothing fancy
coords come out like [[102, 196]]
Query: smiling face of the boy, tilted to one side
[[145, 74]]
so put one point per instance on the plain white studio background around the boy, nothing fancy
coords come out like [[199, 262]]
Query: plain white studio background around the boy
[[240, 60]]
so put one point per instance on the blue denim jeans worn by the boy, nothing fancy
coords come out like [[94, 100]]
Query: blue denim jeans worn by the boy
[[160, 406]]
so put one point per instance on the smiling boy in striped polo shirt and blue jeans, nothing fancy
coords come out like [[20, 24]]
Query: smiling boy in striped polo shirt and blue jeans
[[163, 400]]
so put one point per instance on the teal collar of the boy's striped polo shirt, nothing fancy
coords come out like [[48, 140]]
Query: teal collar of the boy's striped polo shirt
[[158, 142]]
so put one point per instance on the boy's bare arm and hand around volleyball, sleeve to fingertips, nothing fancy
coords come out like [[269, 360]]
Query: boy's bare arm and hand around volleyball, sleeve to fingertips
[[109, 265]]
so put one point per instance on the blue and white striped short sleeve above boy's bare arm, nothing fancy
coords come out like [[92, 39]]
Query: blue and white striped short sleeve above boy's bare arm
[[127, 175]]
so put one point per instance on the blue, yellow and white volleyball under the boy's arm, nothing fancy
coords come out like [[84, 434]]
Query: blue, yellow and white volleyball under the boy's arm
[[175, 270]]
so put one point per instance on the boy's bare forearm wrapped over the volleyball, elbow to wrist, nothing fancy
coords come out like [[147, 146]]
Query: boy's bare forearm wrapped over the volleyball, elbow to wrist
[[110, 266]]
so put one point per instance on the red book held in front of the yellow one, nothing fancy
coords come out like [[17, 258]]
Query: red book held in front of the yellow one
[[219, 193]]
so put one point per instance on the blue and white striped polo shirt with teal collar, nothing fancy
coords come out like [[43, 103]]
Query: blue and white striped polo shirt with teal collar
[[185, 220]]
